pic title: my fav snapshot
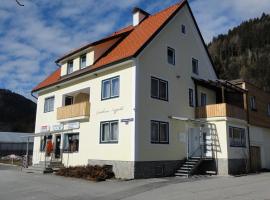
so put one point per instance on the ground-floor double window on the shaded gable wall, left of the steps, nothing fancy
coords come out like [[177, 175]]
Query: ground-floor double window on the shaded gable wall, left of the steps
[[159, 132]]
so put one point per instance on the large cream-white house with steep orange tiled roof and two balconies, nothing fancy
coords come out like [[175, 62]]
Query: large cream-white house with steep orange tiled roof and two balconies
[[143, 100]]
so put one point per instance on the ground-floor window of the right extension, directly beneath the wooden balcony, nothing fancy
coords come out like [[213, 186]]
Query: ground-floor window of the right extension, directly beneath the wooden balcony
[[237, 137]]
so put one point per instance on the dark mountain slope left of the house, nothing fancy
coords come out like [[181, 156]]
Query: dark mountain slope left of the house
[[17, 113]]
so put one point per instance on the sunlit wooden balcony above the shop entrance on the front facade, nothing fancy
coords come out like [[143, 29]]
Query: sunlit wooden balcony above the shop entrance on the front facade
[[78, 111]]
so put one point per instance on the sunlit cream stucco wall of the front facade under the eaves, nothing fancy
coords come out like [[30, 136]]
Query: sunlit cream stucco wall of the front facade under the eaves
[[89, 132]]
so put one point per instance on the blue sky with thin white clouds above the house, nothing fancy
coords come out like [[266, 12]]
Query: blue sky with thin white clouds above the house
[[32, 37]]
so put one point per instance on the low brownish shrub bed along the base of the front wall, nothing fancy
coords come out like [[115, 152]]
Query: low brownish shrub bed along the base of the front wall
[[93, 173]]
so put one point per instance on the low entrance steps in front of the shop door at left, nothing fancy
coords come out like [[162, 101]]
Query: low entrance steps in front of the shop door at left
[[43, 168]]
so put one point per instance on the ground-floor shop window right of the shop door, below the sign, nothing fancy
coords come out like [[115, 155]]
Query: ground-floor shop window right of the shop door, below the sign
[[71, 142]]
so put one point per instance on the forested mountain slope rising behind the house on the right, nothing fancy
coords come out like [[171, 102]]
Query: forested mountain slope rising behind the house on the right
[[244, 52]]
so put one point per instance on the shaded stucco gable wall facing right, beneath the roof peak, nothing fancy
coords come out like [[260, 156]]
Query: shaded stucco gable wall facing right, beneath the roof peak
[[153, 62]]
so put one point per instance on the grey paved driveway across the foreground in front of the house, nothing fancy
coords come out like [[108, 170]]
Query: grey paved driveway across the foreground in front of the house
[[15, 184]]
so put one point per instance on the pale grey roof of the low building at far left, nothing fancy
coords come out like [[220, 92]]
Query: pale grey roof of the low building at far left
[[15, 137]]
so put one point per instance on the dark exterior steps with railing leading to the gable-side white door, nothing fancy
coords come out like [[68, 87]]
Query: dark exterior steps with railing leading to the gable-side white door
[[189, 167]]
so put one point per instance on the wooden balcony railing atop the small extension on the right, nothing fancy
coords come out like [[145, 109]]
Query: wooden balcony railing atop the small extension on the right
[[220, 110]]
